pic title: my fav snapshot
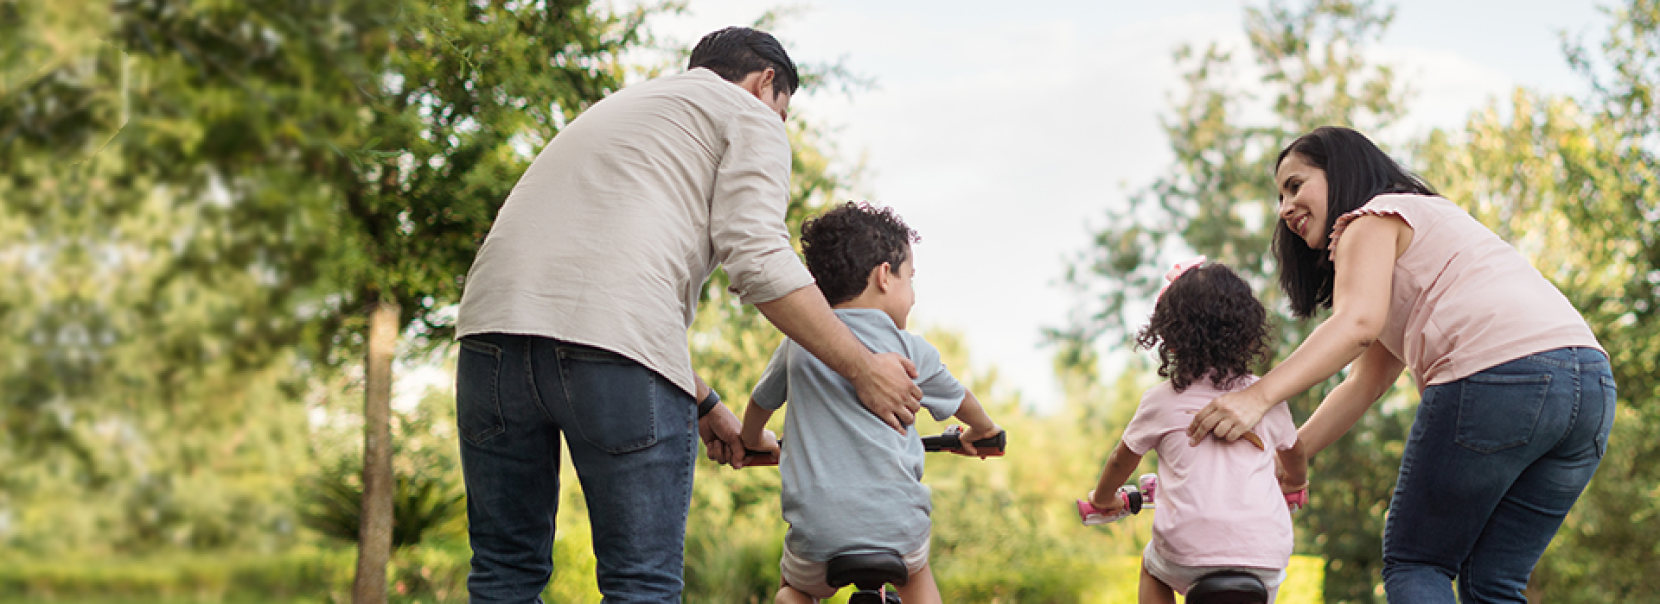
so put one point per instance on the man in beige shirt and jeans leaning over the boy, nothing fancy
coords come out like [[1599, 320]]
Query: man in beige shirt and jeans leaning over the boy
[[575, 314]]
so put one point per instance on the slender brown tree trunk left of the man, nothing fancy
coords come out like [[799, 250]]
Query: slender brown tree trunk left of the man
[[374, 538]]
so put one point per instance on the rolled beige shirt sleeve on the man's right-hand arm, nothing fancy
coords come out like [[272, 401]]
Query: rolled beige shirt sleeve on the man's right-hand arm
[[748, 210]]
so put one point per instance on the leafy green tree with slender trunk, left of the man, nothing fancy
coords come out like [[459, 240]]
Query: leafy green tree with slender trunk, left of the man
[[341, 158]]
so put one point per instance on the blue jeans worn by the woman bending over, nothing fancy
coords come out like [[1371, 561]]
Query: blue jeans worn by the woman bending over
[[1490, 470]]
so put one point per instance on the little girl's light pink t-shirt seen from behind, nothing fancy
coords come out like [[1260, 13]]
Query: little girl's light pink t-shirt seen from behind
[[1218, 504]]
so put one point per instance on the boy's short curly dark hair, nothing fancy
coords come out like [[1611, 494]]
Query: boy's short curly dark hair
[[849, 241]]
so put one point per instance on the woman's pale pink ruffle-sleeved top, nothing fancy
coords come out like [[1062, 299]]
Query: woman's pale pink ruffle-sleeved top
[[1462, 300]]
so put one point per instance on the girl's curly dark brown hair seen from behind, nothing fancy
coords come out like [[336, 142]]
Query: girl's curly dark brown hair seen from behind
[[1208, 323]]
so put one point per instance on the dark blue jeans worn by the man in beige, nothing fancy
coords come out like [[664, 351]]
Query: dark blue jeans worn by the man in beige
[[633, 441]]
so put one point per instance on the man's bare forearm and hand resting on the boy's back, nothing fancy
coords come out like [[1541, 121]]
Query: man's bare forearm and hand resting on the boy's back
[[884, 382]]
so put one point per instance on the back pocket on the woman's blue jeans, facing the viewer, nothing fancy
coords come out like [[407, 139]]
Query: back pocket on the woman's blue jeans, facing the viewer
[[1500, 411]]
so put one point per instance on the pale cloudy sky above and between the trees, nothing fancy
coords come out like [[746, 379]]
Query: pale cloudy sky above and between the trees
[[1005, 132]]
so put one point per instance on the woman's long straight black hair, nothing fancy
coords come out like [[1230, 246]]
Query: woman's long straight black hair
[[1357, 170]]
